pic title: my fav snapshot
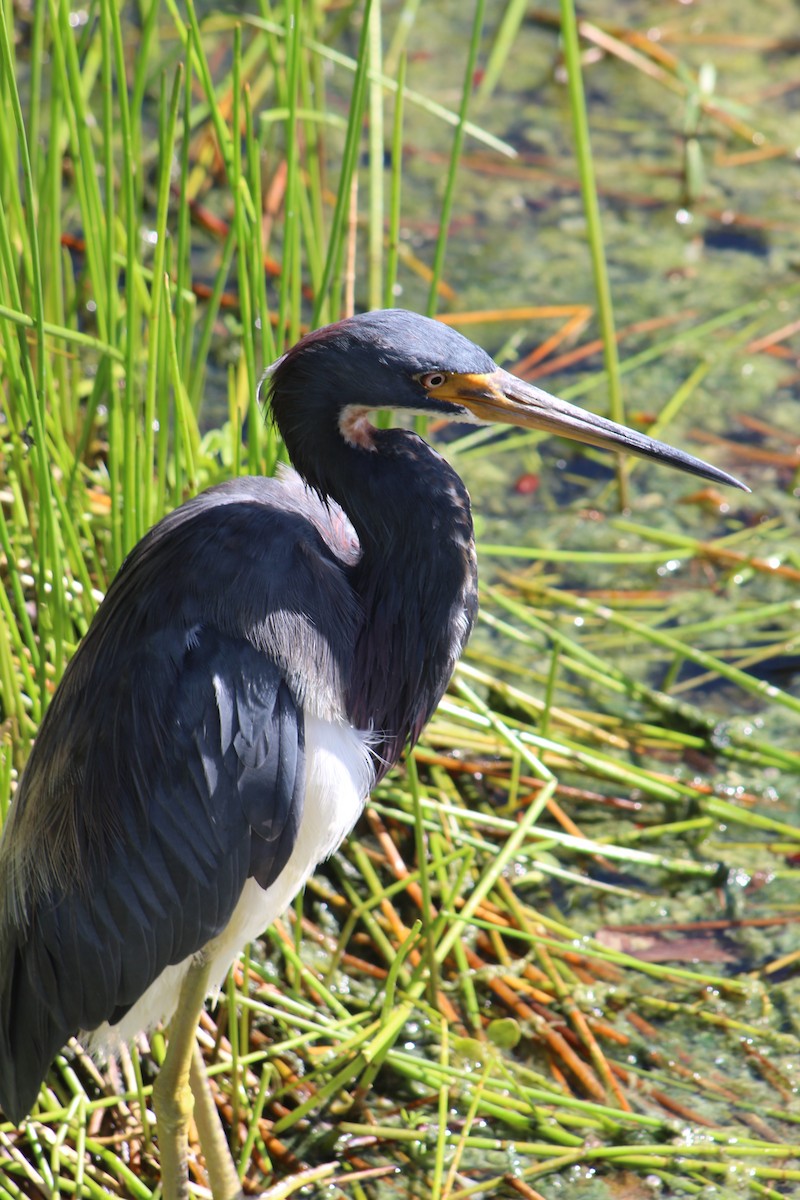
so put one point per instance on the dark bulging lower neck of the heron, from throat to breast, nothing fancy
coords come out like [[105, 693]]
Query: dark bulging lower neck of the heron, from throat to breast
[[417, 580]]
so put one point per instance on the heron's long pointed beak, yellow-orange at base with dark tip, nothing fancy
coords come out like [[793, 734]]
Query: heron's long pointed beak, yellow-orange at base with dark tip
[[503, 398]]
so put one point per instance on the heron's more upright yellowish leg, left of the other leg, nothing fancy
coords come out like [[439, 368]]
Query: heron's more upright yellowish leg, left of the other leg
[[172, 1095]]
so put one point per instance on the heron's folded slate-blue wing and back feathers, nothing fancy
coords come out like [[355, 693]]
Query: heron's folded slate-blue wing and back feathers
[[169, 771]]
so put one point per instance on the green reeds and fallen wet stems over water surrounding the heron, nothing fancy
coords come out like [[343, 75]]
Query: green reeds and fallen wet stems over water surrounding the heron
[[560, 955]]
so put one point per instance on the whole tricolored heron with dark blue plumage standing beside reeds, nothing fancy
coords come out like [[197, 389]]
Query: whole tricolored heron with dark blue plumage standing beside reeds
[[261, 661]]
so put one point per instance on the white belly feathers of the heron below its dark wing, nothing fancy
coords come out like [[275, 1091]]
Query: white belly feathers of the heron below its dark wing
[[339, 778]]
